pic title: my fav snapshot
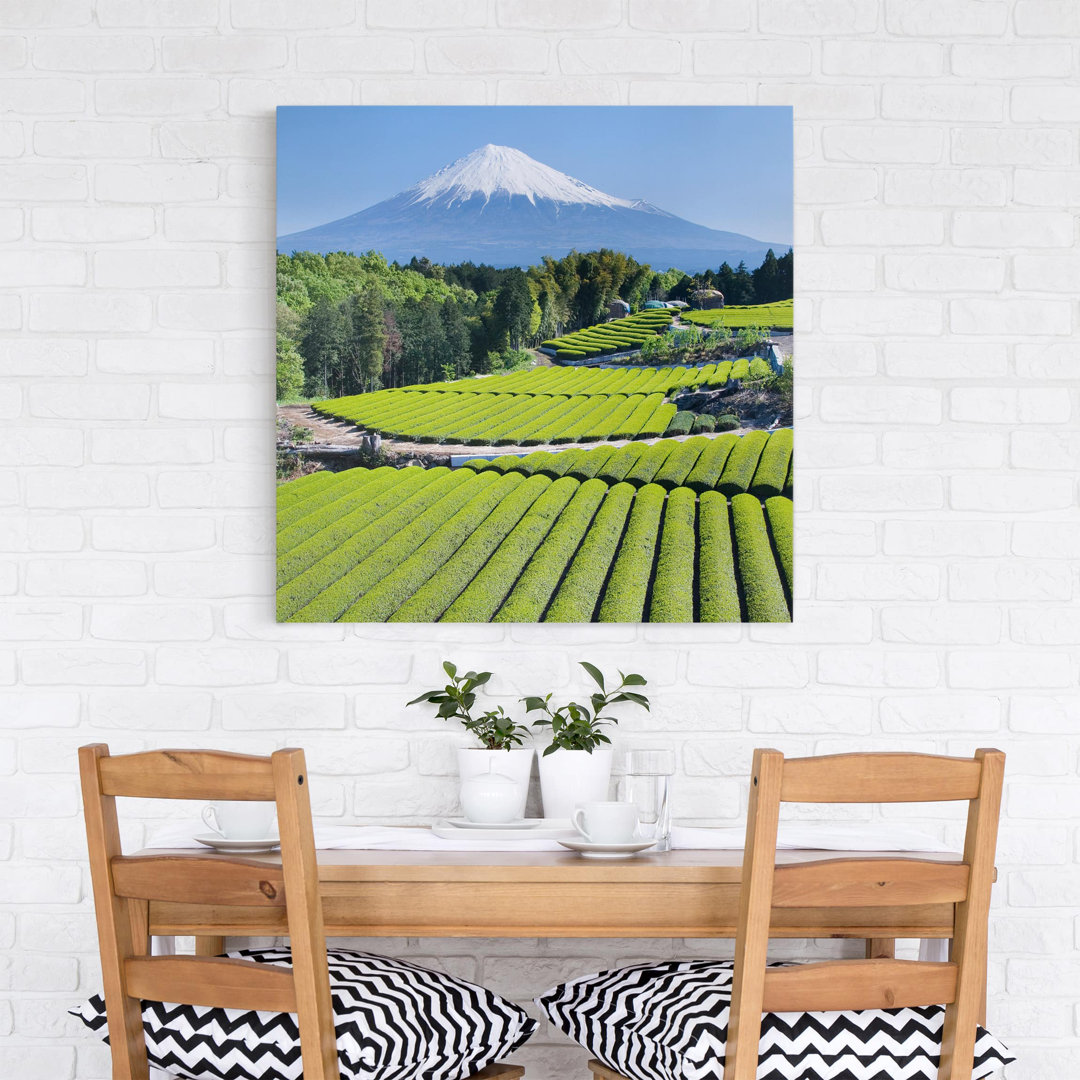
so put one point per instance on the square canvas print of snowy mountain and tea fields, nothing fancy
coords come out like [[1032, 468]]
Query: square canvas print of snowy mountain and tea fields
[[535, 364]]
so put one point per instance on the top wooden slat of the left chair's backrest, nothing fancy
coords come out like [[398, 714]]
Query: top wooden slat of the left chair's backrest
[[188, 775]]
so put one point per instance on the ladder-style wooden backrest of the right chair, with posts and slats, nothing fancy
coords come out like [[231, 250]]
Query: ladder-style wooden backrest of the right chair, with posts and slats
[[867, 882]]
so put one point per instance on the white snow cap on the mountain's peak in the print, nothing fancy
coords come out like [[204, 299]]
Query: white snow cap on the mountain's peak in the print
[[503, 170]]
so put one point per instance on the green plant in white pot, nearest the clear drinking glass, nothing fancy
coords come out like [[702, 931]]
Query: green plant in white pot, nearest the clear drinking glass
[[576, 768]]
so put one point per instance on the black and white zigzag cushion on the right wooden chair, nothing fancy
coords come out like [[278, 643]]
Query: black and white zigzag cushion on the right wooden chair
[[670, 1022]]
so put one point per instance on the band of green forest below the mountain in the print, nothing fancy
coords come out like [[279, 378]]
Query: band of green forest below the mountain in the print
[[350, 325]]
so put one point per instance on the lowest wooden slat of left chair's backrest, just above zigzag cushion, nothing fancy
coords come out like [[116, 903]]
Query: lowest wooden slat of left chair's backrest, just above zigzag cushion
[[221, 983]]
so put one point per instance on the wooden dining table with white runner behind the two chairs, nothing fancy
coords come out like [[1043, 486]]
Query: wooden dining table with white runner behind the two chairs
[[684, 894]]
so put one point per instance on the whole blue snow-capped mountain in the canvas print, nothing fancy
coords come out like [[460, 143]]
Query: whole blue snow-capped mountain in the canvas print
[[501, 207]]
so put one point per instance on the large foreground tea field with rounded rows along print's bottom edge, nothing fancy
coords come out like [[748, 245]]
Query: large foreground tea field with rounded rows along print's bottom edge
[[678, 532]]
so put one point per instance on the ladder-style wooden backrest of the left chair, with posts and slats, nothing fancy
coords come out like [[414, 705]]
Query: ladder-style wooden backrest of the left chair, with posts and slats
[[126, 886]]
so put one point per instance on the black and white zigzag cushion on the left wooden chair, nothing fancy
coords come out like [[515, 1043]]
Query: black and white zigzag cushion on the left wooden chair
[[395, 1021]]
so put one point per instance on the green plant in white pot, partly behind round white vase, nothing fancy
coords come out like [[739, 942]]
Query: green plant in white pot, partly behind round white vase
[[502, 739]]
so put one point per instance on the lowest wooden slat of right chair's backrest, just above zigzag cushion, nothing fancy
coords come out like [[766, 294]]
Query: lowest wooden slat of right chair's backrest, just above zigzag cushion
[[859, 984]]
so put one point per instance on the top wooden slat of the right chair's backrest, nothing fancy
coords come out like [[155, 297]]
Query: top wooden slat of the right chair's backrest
[[881, 778]]
